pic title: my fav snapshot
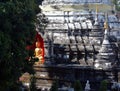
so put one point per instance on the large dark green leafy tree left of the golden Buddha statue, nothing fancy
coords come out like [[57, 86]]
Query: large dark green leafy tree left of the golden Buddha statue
[[17, 30]]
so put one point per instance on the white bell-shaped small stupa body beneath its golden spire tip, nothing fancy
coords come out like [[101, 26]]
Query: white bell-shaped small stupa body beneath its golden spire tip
[[106, 55]]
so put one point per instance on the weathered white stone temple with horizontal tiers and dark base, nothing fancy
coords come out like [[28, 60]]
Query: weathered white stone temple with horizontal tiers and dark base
[[78, 45]]
